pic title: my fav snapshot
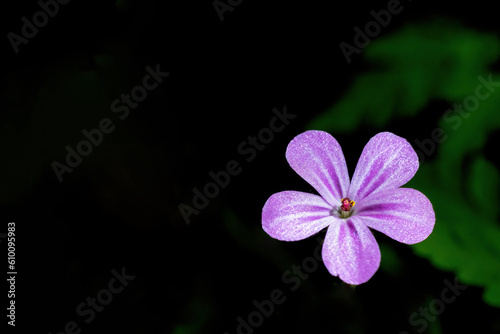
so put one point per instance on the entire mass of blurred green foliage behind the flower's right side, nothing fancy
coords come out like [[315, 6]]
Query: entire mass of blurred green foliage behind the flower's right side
[[420, 63]]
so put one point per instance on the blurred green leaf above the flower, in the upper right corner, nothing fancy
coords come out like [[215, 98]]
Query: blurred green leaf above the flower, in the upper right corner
[[419, 63]]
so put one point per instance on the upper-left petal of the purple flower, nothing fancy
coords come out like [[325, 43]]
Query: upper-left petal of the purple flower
[[317, 157]]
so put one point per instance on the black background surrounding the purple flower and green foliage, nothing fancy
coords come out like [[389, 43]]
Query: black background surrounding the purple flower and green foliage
[[119, 207]]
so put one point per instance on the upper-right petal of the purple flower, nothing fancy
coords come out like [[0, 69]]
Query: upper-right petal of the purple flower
[[387, 162]]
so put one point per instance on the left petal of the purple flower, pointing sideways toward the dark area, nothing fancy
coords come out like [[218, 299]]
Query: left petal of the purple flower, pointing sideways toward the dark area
[[294, 215]]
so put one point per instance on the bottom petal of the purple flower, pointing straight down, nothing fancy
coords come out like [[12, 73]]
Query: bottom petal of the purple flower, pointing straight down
[[350, 251]]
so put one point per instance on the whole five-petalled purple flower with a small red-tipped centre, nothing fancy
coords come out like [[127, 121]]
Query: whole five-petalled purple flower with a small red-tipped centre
[[373, 200]]
